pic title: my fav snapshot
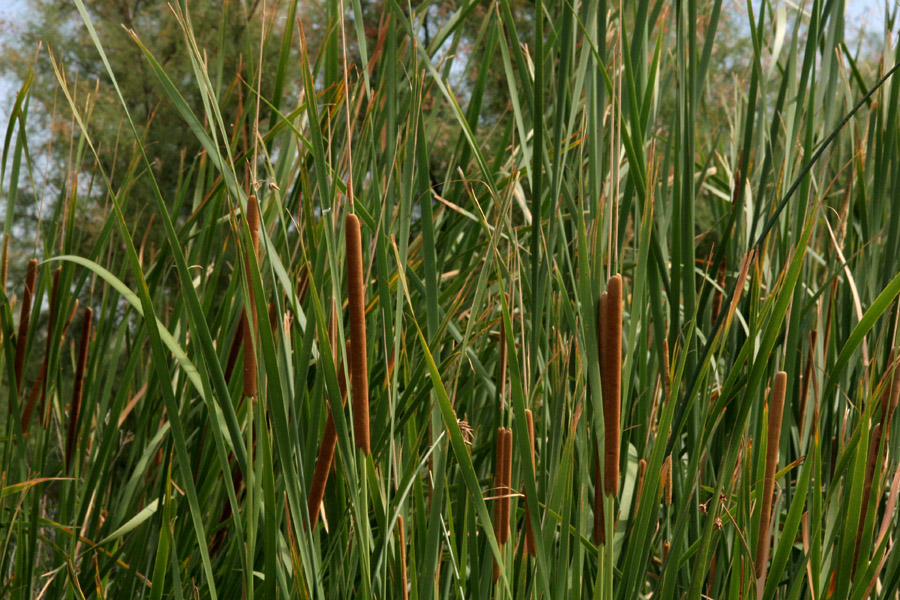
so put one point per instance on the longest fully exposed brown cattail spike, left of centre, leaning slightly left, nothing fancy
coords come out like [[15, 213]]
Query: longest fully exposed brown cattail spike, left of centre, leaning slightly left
[[356, 301]]
